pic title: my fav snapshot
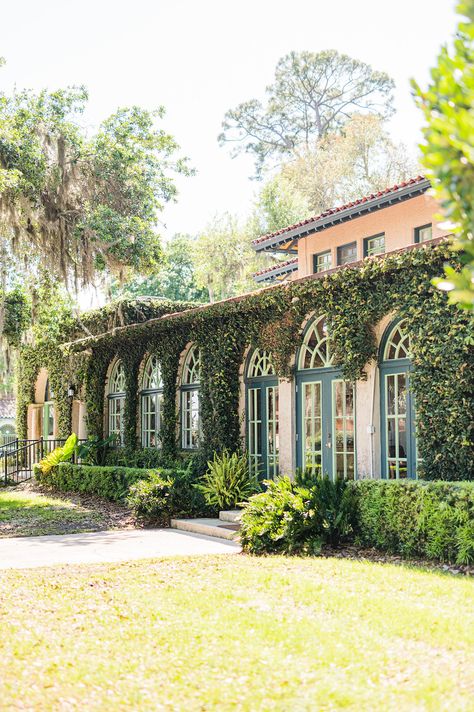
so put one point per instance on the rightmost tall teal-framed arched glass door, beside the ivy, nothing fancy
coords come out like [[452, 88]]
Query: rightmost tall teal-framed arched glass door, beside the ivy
[[397, 409]]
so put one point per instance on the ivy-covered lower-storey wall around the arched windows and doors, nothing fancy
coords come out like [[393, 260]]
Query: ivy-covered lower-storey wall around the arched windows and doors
[[357, 303]]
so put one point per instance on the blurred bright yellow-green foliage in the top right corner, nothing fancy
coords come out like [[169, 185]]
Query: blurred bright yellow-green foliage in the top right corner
[[448, 153]]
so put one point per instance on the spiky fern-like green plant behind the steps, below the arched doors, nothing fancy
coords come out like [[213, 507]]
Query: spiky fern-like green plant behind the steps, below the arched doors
[[228, 481]]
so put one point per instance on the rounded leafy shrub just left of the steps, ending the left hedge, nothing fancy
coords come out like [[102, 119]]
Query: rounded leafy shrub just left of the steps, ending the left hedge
[[166, 494]]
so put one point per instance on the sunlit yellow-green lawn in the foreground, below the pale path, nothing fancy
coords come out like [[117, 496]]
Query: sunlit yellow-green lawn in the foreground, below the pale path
[[236, 633]]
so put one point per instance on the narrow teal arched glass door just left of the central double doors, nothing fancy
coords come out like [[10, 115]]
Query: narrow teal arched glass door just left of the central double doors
[[262, 414]]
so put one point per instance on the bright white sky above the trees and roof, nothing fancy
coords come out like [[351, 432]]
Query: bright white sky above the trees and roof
[[199, 59]]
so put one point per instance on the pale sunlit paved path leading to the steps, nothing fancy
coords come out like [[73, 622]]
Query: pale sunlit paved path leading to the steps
[[108, 546]]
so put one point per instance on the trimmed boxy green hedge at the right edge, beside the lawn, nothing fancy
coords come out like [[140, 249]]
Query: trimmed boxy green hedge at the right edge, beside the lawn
[[414, 519]]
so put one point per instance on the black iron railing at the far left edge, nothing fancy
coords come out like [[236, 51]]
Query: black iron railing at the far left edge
[[18, 457]]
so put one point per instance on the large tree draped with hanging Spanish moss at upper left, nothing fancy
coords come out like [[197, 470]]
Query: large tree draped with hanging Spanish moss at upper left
[[84, 204]]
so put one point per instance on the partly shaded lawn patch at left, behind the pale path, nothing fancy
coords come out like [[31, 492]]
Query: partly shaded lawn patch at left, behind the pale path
[[26, 511]]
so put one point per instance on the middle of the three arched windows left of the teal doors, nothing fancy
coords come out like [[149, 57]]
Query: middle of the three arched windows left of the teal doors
[[151, 403]]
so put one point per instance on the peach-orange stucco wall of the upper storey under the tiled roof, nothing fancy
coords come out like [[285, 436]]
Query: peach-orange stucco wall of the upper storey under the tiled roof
[[397, 222]]
